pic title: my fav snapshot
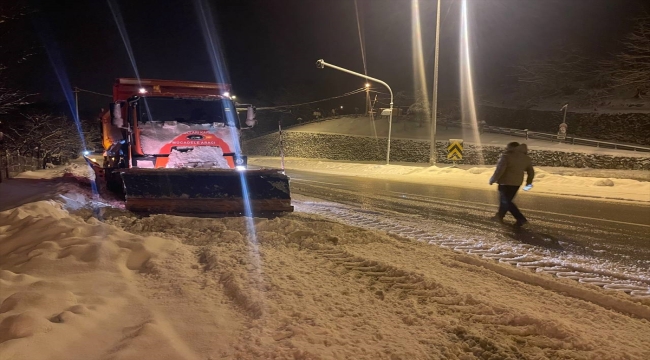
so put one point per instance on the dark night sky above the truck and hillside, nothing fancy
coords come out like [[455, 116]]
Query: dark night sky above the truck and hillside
[[274, 44]]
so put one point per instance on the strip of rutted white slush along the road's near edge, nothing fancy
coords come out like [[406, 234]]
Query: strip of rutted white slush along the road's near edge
[[540, 252]]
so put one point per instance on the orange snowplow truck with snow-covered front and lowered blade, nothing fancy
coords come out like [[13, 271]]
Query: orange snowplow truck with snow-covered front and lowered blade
[[173, 147]]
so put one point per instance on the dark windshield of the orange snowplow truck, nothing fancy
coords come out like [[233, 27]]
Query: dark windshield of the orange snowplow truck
[[189, 111]]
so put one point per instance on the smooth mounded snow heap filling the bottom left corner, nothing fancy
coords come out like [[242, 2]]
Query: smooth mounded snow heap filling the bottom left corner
[[68, 292]]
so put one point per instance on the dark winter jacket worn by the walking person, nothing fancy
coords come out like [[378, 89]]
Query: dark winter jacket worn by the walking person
[[511, 166]]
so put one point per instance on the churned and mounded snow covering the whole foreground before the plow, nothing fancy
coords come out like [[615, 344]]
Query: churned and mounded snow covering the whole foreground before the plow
[[295, 287]]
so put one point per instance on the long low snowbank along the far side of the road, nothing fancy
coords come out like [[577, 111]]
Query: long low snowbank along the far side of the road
[[545, 181]]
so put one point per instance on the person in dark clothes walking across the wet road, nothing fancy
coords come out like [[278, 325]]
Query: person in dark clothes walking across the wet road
[[509, 175]]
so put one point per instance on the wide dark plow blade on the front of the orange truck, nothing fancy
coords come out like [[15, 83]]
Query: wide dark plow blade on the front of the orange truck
[[206, 191]]
